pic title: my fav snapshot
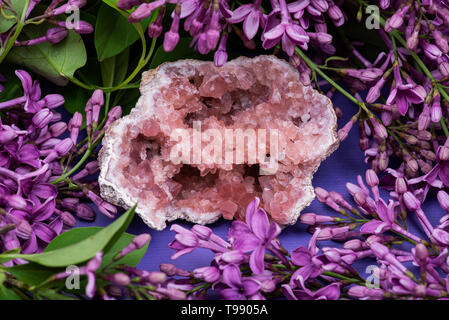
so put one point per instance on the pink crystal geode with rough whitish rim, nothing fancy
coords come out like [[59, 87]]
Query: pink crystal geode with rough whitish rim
[[261, 93]]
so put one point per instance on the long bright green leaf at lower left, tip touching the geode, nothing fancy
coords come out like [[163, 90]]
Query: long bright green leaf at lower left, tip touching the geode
[[84, 250]]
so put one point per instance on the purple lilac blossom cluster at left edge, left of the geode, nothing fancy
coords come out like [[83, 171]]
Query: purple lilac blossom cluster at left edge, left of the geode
[[43, 184]]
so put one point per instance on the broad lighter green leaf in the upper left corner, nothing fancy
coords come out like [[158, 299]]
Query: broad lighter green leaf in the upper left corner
[[56, 62]]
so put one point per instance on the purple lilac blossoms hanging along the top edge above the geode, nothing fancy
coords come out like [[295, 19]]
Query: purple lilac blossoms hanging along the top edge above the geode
[[297, 23]]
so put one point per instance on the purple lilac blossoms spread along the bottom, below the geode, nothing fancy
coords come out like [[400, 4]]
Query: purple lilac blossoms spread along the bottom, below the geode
[[251, 264]]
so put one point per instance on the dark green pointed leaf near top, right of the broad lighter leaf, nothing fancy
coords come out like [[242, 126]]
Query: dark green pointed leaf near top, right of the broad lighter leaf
[[113, 33]]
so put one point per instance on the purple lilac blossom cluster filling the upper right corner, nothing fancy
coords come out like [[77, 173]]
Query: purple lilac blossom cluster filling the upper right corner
[[402, 94]]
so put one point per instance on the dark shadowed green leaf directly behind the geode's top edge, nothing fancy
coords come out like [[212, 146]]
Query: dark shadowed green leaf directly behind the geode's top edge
[[182, 51]]
